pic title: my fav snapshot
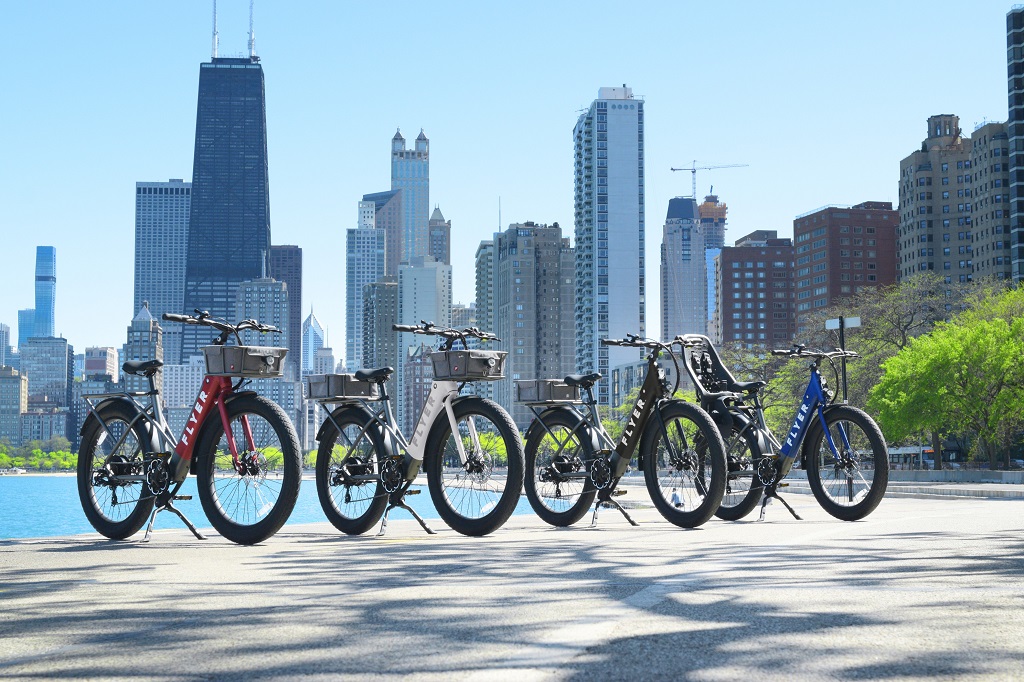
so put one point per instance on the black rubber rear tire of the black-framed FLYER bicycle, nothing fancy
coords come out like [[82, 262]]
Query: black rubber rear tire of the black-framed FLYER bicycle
[[572, 423]]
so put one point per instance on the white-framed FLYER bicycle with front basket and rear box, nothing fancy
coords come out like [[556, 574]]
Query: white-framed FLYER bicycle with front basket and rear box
[[468, 447]]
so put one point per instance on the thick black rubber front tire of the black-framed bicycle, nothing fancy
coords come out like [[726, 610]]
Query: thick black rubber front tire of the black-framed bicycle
[[708, 443]]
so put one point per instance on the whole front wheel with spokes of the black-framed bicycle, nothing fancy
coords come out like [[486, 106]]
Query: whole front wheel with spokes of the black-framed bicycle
[[685, 463]]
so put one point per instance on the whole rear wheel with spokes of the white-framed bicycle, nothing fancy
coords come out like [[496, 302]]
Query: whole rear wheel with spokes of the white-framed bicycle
[[349, 482]]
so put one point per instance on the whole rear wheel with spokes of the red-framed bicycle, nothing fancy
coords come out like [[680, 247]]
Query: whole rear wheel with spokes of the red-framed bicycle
[[111, 470]]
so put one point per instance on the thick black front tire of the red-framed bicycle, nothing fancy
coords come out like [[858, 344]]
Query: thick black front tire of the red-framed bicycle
[[250, 534]]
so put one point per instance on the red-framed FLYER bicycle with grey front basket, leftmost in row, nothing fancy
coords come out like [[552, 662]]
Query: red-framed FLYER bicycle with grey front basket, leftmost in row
[[242, 447]]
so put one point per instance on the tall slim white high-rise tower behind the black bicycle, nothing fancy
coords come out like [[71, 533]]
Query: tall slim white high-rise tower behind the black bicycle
[[609, 143]]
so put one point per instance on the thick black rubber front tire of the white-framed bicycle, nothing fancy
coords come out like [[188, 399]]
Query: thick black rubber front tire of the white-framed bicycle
[[435, 460]]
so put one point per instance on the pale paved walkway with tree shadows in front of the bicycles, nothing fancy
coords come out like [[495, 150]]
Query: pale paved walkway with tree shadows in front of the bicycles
[[922, 589]]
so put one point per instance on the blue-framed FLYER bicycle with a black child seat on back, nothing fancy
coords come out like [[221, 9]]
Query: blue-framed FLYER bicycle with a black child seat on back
[[841, 448]]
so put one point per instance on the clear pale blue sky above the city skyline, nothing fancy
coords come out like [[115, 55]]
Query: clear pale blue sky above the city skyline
[[822, 100]]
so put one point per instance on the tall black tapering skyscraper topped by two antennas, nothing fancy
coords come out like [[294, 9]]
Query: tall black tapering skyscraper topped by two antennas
[[230, 224]]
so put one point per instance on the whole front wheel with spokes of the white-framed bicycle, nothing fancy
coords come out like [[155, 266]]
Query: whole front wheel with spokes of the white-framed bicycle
[[475, 474]]
